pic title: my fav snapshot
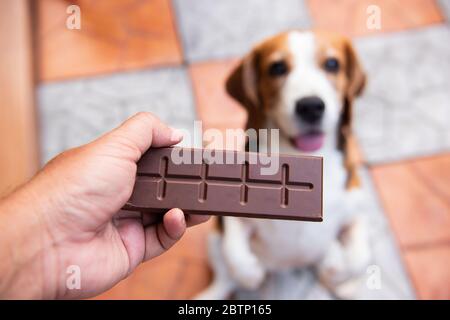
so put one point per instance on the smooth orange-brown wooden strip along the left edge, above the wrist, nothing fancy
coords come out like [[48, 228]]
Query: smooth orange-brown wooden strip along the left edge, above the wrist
[[19, 158]]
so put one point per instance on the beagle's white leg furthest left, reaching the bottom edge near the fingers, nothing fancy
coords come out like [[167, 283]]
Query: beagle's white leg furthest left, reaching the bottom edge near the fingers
[[222, 284]]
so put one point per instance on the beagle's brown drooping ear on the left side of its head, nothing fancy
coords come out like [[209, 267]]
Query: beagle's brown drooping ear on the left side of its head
[[242, 85]]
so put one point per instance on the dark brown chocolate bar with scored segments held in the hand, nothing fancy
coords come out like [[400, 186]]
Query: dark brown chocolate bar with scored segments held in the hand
[[220, 182]]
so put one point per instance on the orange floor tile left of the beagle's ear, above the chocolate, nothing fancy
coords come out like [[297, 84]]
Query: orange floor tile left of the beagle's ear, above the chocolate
[[214, 107]]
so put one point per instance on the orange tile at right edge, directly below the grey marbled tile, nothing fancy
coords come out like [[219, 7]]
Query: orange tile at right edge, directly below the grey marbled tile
[[415, 198]]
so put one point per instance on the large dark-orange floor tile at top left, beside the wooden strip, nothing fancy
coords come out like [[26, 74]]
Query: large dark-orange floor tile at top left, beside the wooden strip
[[114, 36]]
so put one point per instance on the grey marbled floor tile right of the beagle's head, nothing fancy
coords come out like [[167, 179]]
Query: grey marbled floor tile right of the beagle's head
[[406, 108]]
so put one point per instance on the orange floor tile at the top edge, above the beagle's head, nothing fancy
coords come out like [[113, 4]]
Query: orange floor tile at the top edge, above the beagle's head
[[350, 16]]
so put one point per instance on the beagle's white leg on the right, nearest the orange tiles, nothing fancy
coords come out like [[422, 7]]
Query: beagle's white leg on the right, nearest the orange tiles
[[345, 262]]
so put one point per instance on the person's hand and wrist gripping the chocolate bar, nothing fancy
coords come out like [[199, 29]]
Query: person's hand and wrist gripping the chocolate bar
[[69, 215]]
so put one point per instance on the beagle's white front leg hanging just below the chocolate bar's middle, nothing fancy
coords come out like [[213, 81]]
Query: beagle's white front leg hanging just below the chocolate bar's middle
[[244, 266]]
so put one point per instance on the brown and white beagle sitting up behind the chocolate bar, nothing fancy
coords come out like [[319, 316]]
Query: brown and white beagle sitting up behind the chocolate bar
[[302, 83]]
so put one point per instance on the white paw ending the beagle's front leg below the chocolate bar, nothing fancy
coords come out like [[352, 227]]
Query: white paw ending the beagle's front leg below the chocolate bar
[[248, 273]]
